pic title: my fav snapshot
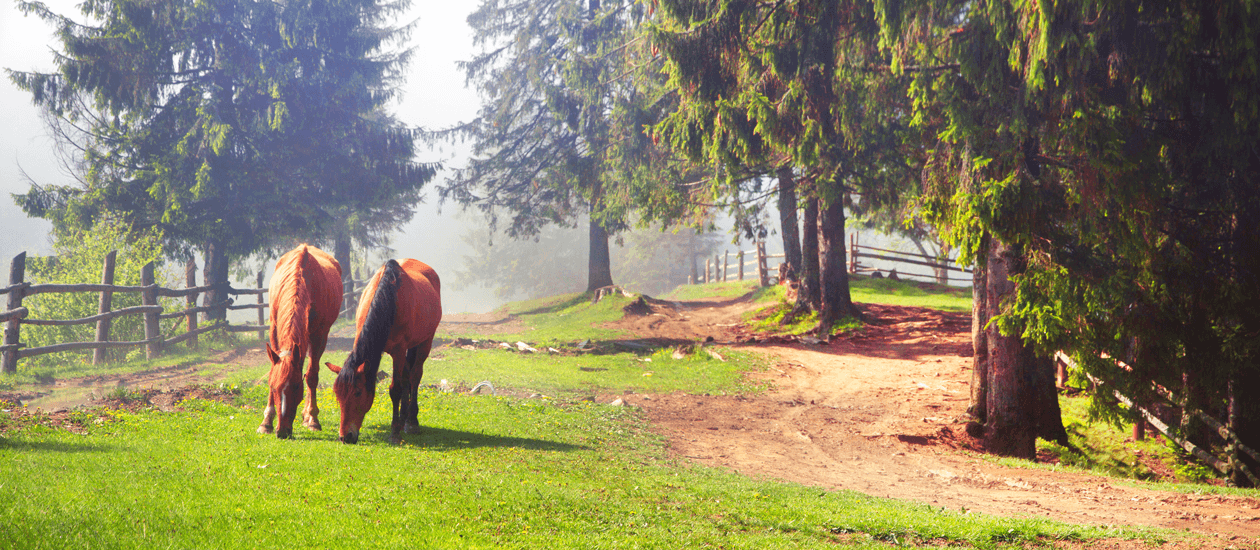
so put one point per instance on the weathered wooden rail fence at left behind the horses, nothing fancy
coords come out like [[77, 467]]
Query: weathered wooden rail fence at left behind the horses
[[18, 290]]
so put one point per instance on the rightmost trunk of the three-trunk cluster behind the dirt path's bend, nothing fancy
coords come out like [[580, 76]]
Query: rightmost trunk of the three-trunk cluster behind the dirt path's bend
[[833, 269]]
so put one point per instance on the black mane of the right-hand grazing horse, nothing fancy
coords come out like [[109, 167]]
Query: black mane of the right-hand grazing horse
[[375, 334]]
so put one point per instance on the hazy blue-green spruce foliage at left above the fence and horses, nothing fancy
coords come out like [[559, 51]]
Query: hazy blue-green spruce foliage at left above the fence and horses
[[238, 124]]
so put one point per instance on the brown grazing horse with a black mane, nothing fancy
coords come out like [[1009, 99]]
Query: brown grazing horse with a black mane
[[399, 314]]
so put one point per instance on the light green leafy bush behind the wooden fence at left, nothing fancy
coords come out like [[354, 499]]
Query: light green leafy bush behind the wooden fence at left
[[79, 259]]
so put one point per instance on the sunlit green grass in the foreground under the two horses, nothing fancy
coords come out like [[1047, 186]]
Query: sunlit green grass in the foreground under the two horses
[[487, 473]]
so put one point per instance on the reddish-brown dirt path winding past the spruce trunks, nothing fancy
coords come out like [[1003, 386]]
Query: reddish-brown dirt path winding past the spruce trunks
[[881, 413]]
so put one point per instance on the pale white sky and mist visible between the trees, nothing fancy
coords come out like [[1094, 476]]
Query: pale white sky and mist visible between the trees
[[434, 98]]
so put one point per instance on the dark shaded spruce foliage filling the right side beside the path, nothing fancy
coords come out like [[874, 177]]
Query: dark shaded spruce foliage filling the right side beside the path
[[1114, 145]]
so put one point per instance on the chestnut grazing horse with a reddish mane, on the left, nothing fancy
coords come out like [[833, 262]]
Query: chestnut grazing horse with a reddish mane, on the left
[[306, 300]]
